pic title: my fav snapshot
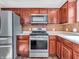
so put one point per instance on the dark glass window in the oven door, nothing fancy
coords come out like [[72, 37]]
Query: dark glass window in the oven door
[[38, 44]]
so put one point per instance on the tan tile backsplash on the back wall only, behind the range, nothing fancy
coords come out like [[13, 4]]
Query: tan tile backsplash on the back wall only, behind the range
[[49, 27]]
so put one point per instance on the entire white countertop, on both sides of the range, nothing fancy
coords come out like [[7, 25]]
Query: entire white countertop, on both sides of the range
[[71, 36]]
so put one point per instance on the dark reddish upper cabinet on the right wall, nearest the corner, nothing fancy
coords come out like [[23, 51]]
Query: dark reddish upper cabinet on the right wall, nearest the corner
[[64, 13]]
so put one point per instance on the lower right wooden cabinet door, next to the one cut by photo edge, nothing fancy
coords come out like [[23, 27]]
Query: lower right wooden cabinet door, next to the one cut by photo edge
[[67, 52]]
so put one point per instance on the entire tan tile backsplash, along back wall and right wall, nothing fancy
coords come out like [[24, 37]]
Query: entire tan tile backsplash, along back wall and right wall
[[54, 27]]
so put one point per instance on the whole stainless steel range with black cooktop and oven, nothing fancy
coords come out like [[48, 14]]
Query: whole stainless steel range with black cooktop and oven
[[38, 44]]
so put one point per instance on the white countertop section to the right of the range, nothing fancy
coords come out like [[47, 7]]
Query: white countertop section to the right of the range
[[71, 36]]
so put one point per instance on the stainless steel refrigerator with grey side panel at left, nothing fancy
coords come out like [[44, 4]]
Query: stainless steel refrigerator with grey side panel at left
[[9, 27]]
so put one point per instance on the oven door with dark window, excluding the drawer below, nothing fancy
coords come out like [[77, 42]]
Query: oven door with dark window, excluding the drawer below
[[38, 46]]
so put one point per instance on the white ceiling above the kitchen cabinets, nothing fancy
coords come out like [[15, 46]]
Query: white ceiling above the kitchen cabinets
[[31, 3]]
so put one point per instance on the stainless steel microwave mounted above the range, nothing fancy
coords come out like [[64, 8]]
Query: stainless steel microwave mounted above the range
[[39, 18]]
